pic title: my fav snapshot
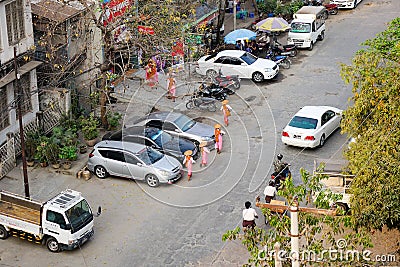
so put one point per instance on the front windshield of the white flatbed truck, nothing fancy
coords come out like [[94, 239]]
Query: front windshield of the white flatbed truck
[[79, 215]]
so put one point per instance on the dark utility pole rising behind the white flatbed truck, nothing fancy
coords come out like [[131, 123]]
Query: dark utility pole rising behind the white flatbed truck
[[21, 129]]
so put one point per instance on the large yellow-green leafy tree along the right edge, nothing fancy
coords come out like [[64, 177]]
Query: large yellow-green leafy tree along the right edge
[[373, 119]]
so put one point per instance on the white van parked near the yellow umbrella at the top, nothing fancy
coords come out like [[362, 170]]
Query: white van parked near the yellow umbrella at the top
[[307, 27]]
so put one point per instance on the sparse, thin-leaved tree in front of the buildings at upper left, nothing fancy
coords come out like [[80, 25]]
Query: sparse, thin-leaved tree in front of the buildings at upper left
[[121, 40]]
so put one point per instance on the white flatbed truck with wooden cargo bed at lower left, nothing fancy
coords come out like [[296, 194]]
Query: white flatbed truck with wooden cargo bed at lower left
[[62, 223]]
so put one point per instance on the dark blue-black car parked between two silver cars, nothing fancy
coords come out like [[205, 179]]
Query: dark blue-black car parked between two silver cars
[[155, 138]]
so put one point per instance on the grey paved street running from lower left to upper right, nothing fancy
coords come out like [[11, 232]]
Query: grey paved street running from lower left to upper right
[[182, 224]]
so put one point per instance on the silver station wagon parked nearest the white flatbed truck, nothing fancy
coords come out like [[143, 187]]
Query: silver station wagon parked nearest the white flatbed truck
[[133, 161]]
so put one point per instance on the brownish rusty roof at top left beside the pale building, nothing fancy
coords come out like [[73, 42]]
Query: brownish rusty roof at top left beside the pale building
[[54, 11]]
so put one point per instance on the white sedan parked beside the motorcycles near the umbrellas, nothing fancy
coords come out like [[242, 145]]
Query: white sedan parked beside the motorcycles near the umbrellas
[[237, 62]]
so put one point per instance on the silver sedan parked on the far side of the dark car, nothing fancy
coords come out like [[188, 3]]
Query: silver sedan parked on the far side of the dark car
[[180, 125]]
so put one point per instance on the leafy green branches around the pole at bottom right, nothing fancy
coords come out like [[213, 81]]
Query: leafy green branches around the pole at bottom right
[[318, 232]]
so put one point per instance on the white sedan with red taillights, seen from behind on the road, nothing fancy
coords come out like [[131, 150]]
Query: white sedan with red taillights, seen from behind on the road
[[311, 125]]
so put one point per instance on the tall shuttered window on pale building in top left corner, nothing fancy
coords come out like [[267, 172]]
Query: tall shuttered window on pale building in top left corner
[[15, 21]]
